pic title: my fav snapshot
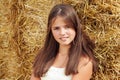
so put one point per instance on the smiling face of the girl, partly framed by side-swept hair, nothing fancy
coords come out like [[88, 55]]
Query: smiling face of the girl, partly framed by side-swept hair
[[62, 33]]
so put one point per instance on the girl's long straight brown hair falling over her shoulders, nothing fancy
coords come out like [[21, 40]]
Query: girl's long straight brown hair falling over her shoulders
[[81, 45]]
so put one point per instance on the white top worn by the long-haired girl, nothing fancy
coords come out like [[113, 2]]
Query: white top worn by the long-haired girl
[[55, 73]]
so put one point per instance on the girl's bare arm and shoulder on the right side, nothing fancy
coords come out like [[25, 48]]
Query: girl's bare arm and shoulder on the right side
[[84, 71]]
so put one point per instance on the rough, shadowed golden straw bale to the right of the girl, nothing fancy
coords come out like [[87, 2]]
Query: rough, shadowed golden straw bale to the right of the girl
[[101, 20]]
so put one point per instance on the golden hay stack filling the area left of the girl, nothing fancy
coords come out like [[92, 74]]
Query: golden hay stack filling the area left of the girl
[[26, 22]]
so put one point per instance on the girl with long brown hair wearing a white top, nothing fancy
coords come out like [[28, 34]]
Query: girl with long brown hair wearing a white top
[[68, 52]]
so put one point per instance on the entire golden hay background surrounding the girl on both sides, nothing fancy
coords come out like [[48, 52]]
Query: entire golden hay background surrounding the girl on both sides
[[23, 28]]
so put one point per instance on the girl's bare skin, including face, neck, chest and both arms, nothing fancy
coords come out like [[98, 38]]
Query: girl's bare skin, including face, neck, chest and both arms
[[64, 35]]
